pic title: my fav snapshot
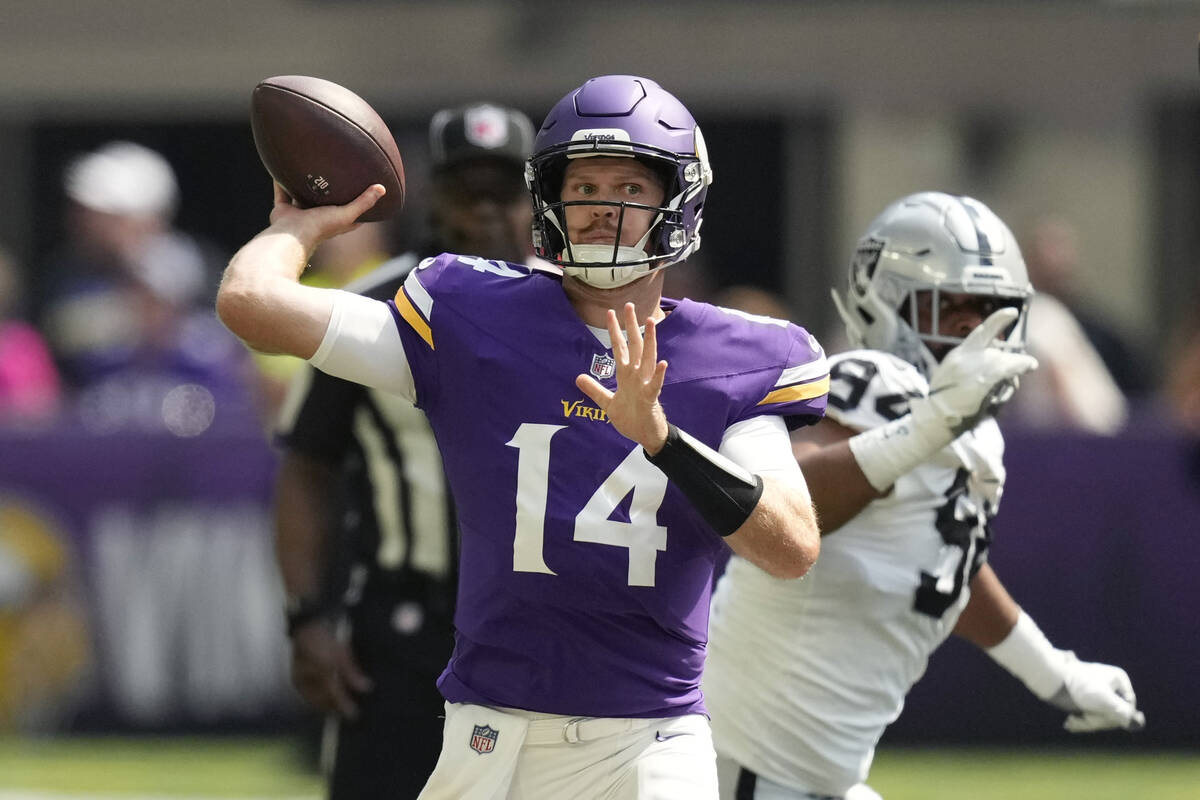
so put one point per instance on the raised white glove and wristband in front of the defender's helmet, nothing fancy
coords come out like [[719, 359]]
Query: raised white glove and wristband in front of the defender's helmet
[[970, 383]]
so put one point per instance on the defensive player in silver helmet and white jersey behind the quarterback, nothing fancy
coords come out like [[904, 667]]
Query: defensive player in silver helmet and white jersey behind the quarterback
[[907, 473]]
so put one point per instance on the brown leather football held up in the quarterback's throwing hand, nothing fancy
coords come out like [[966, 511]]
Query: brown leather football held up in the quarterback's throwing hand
[[325, 145]]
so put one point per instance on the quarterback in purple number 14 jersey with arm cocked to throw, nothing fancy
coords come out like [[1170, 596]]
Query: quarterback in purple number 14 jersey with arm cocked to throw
[[604, 447]]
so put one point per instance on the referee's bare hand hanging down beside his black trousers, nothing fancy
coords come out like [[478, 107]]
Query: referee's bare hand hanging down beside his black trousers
[[326, 672]]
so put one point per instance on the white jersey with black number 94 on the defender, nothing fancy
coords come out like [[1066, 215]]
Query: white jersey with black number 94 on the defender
[[803, 676]]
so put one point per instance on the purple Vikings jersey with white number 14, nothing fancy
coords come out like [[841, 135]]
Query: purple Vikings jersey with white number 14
[[585, 576]]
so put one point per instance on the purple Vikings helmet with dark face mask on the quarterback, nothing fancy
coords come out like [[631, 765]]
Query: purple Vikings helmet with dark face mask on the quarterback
[[625, 117]]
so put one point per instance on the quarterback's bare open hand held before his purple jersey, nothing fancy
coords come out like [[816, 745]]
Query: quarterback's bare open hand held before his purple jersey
[[634, 408]]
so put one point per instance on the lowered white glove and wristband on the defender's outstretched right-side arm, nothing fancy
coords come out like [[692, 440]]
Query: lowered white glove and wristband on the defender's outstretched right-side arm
[[1096, 696]]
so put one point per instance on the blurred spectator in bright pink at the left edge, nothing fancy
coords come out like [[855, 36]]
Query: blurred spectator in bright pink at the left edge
[[29, 381]]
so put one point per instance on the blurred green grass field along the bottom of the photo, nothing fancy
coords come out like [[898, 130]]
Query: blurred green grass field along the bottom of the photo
[[229, 769]]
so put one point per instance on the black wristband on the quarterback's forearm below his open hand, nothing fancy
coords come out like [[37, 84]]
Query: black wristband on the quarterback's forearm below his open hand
[[723, 494]]
